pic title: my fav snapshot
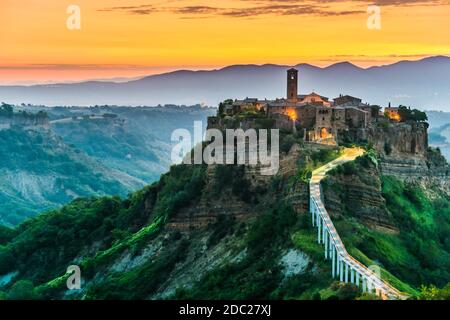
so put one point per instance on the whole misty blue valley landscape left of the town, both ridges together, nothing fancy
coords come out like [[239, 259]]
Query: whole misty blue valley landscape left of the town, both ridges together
[[51, 156]]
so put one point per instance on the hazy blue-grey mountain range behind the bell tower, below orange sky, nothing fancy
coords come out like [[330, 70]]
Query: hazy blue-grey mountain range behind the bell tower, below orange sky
[[424, 84]]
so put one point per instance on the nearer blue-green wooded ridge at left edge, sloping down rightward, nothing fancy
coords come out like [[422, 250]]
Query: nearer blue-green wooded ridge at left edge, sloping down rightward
[[39, 171]]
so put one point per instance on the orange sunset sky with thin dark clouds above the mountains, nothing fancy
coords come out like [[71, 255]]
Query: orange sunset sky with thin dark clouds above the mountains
[[127, 38]]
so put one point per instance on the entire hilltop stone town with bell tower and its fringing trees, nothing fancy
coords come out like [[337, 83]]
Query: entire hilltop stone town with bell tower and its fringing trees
[[315, 117]]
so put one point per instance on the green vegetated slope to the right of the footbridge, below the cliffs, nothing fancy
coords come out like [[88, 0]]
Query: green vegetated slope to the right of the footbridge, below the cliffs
[[419, 253]]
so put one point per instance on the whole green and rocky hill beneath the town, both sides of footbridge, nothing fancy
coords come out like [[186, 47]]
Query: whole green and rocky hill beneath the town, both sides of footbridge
[[224, 232]]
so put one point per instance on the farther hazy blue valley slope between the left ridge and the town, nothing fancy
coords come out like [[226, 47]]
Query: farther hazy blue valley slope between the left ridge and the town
[[135, 141]]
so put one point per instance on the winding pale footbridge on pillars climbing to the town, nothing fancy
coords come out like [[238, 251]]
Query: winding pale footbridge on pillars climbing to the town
[[344, 266]]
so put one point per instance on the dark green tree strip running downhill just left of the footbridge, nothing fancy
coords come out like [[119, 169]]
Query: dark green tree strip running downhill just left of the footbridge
[[258, 275]]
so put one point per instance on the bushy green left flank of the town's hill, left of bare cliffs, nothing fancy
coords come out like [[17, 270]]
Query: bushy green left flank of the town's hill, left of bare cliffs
[[42, 247]]
